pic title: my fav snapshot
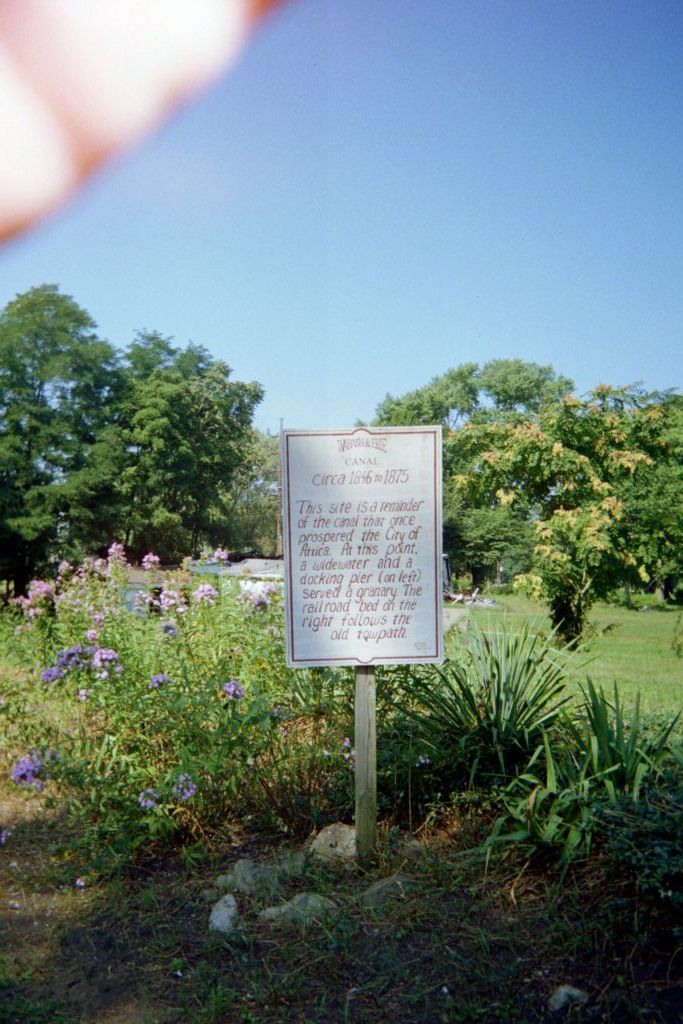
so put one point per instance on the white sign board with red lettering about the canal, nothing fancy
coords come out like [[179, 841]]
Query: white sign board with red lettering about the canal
[[363, 545]]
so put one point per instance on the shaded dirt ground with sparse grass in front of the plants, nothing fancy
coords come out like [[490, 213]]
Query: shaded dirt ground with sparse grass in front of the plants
[[137, 950]]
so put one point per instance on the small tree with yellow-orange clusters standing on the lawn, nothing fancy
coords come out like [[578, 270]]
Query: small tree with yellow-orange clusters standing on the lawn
[[572, 464]]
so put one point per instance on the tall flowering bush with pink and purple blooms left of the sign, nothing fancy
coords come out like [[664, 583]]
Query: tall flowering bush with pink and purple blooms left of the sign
[[176, 717]]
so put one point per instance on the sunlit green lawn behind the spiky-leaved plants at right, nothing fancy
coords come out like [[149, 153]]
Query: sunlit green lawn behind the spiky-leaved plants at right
[[634, 649]]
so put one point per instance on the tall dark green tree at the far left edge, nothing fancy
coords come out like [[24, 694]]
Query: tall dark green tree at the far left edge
[[59, 385]]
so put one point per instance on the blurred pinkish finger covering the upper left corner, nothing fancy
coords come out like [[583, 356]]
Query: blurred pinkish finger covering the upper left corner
[[81, 80]]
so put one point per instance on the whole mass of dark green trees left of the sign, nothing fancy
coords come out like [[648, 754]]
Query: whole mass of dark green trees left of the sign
[[96, 447]]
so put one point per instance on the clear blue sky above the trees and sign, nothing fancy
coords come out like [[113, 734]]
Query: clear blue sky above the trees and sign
[[382, 190]]
